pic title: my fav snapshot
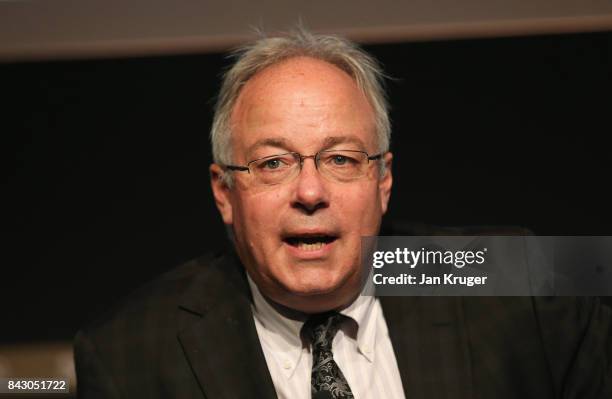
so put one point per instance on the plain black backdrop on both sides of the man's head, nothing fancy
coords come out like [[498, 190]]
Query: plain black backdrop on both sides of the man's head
[[107, 160]]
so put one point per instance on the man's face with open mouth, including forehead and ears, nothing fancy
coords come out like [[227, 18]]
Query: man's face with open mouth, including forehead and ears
[[303, 105]]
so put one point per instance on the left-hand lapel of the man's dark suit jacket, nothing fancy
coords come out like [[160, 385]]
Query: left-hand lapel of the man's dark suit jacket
[[218, 335]]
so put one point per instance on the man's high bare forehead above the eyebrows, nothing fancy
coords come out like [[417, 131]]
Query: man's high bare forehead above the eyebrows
[[301, 102]]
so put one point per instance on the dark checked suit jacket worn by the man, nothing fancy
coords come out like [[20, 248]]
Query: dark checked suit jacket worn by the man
[[190, 334]]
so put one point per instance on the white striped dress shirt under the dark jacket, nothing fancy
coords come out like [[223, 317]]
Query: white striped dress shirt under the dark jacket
[[362, 349]]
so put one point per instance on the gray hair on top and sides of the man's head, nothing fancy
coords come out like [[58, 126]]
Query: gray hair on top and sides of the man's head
[[254, 57]]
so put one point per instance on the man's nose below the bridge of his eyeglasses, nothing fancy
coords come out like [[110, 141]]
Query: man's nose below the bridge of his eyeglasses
[[310, 189]]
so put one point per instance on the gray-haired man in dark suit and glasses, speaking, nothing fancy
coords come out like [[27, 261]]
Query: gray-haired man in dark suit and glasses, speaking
[[302, 171]]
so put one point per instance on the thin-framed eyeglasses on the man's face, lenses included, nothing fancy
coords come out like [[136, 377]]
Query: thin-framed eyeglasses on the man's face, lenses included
[[337, 165]]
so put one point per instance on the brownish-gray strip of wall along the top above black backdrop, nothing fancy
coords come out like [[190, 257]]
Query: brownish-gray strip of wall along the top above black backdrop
[[37, 29]]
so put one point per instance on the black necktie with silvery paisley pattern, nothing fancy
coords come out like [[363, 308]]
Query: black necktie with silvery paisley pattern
[[326, 375]]
